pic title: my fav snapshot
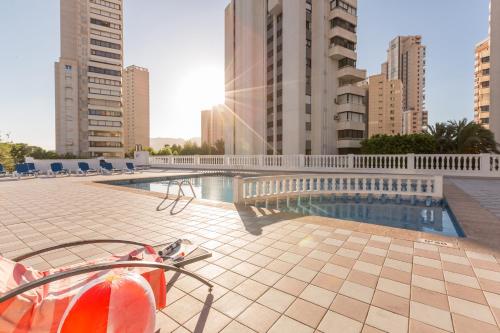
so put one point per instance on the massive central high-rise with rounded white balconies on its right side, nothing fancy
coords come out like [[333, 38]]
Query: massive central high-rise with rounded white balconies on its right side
[[291, 77]]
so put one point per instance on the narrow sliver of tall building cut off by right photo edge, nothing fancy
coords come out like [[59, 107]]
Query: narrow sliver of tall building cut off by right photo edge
[[495, 68]]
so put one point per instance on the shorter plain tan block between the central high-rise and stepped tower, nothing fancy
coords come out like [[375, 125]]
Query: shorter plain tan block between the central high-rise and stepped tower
[[385, 105]]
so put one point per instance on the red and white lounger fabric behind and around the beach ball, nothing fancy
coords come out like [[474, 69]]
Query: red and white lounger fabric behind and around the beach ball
[[41, 309]]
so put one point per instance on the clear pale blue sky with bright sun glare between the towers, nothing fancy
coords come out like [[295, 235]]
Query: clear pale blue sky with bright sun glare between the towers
[[181, 42]]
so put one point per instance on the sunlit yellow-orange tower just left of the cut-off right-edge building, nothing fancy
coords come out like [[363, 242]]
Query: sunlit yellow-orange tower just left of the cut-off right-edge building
[[482, 84]]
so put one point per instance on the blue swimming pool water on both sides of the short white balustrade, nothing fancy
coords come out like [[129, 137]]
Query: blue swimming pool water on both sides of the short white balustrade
[[418, 215]]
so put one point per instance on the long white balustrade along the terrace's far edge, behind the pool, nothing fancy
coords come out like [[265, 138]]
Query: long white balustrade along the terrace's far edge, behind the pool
[[481, 165]]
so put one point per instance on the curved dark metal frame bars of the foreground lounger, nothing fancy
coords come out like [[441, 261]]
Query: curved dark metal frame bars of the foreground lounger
[[177, 267]]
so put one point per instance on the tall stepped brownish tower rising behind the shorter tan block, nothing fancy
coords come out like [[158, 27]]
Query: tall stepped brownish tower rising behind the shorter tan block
[[406, 62]]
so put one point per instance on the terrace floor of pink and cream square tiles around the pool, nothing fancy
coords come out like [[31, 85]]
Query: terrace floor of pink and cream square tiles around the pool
[[273, 273]]
